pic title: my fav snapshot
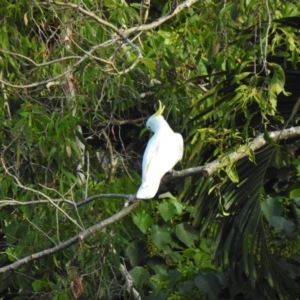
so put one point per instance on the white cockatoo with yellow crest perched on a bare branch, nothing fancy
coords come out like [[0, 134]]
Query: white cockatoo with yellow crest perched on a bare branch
[[163, 151]]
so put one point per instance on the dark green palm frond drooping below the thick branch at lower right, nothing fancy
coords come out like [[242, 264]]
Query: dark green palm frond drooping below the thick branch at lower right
[[240, 241]]
